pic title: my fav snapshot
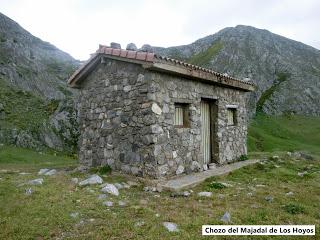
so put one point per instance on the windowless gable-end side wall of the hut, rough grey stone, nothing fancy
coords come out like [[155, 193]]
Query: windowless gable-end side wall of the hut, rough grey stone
[[115, 118]]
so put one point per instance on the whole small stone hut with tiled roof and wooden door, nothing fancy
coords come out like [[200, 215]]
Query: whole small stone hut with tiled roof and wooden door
[[153, 116]]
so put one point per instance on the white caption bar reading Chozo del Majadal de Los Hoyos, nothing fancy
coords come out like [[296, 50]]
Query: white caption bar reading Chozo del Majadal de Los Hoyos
[[303, 230]]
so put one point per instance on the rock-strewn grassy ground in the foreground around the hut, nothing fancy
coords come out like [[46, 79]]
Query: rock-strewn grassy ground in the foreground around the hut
[[46, 213]]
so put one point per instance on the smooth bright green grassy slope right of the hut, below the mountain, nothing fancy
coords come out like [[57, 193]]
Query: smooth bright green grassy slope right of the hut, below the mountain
[[284, 133]]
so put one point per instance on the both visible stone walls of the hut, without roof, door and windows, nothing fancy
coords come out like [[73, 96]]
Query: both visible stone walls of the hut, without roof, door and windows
[[126, 121]]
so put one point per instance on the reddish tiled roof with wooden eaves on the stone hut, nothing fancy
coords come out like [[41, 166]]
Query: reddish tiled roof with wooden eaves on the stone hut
[[154, 60]]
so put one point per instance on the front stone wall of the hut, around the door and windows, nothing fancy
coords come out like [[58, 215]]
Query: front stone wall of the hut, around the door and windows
[[178, 149]]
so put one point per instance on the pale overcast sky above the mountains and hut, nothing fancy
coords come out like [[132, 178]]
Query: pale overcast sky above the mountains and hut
[[79, 26]]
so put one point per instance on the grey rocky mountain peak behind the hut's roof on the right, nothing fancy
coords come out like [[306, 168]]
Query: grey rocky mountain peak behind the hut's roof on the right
[[287, 72]]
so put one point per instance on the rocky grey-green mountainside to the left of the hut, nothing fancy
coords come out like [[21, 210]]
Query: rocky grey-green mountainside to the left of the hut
[[36, 106]]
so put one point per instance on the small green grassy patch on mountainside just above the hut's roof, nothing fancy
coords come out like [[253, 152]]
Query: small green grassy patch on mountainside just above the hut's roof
[[206, 56]]
